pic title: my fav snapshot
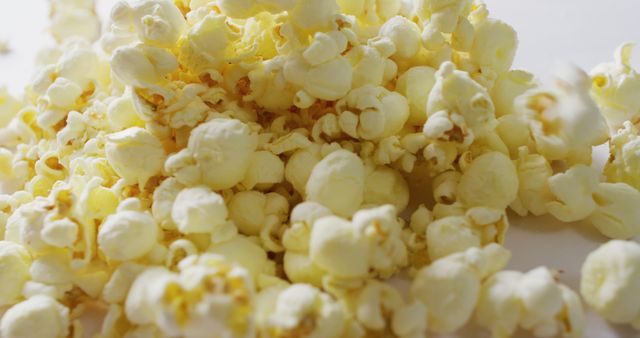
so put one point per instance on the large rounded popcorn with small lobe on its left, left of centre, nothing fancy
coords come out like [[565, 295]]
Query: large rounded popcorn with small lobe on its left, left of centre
[[218, 154]]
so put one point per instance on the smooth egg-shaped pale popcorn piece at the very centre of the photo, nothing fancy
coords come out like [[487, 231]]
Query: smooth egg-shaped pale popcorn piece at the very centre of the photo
[[337, 182]]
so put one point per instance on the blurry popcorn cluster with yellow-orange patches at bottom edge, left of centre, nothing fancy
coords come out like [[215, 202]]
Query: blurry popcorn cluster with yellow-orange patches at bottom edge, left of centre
[[207, 296]]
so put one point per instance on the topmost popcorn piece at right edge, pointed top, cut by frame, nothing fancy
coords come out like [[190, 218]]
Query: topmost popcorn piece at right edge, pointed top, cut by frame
[[613, 87]]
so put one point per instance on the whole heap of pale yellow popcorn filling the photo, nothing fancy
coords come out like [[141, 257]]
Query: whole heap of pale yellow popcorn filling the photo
[[273, 168]]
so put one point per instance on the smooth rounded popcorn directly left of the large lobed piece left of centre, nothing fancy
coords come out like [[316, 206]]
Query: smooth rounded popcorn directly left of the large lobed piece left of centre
[[135, 154]]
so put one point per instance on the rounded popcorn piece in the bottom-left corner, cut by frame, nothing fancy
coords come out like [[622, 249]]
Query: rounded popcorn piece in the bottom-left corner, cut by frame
[[52, 319]]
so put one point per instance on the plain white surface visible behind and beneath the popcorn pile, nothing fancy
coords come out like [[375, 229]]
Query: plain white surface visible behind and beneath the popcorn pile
[[550, 31]]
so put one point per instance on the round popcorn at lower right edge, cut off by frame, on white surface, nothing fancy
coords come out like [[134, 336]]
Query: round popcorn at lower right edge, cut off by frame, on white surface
[[609, 281]]
